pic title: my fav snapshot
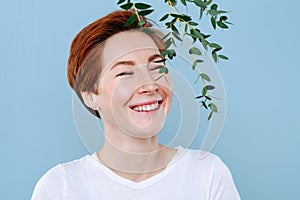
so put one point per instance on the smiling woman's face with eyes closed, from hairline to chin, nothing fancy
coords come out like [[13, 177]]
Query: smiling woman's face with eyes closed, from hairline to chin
[[133, 96]]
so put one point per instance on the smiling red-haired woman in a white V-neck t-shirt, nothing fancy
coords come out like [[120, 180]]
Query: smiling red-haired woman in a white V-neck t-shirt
[[116, 72]]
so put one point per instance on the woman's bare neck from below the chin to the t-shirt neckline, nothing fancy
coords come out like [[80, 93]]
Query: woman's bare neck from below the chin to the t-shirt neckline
[[134, 158]]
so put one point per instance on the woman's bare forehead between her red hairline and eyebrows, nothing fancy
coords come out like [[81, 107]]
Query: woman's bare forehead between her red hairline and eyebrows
[[124, 43]]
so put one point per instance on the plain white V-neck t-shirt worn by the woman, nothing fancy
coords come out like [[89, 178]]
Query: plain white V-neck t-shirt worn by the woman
[[187, 177]]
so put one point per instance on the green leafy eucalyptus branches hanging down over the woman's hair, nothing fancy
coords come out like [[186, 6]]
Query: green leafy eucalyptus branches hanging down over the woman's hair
[[190, 31]]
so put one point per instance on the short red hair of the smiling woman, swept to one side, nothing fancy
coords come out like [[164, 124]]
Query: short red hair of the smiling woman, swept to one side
[[85, 53]]
